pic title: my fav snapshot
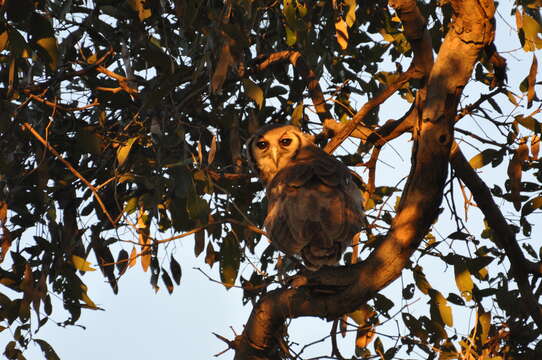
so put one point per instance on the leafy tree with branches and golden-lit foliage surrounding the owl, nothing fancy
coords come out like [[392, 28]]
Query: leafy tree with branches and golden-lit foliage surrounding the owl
[[122, 125]]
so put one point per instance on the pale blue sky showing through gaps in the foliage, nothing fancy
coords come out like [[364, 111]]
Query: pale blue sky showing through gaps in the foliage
[[139, 324]]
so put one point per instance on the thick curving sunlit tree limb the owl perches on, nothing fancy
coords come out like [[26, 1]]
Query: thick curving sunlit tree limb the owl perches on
[[471, 29]]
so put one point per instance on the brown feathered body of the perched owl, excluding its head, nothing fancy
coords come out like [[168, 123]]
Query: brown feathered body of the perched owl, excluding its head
[[314, 208]]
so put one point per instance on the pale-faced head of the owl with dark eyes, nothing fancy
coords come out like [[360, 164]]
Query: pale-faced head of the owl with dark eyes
[[272, 148]]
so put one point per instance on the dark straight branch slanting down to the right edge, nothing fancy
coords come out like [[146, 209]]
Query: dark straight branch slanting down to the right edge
[[504, 236]]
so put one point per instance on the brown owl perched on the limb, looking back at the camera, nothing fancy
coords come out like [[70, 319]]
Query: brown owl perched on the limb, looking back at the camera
[[314, 207]]
